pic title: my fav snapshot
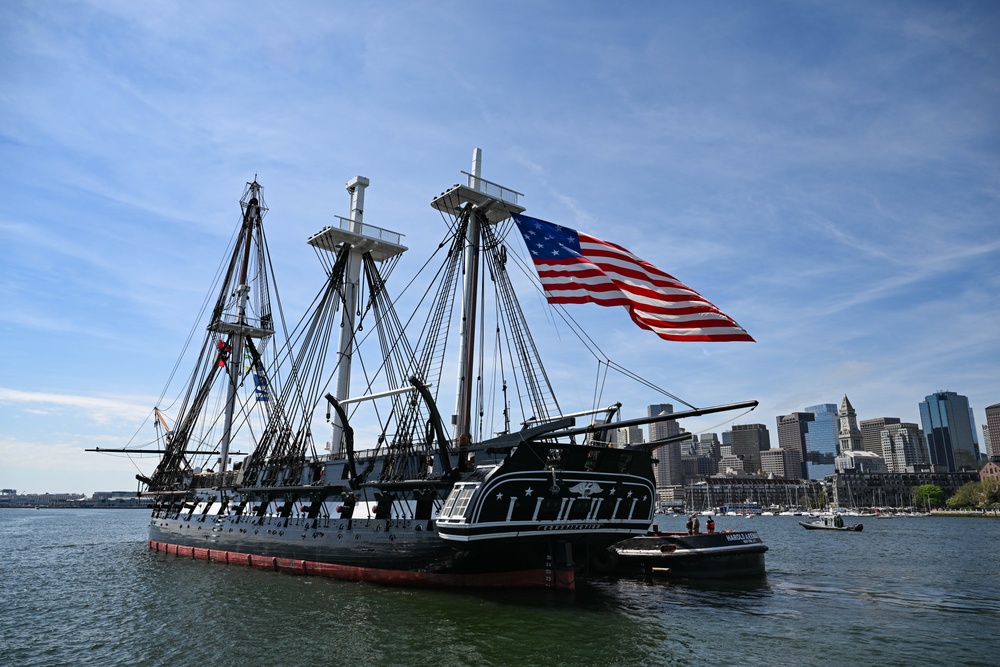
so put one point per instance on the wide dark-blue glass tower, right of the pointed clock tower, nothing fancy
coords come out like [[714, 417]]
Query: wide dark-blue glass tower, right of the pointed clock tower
[[949, 431]]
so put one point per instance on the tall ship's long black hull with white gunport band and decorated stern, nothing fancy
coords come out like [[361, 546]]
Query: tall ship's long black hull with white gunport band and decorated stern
[[505, 525]]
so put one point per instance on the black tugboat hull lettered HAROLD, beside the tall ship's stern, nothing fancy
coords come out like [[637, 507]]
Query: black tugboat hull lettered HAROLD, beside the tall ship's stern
[[679, 555]]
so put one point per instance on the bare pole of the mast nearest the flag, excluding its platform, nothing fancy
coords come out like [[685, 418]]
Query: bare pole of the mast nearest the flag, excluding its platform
[[470, 283]]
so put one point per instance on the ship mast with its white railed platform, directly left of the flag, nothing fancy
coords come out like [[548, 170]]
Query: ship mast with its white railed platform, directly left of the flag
[[482, 203]]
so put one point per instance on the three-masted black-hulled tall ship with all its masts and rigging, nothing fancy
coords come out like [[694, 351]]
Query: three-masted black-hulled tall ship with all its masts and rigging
[[326, 447]]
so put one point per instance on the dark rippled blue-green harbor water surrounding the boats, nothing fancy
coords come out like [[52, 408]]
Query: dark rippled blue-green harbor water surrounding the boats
[[79, 587]]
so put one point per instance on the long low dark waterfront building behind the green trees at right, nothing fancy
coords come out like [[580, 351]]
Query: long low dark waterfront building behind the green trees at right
[[857, 489]]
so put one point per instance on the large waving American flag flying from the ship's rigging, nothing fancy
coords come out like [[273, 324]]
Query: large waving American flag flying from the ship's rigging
[[578, 268]]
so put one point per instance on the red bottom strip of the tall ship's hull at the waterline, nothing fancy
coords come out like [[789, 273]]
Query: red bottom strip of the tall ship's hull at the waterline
[[559, 579]]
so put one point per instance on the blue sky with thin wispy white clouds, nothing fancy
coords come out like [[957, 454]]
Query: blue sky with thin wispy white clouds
[[826, 173]]
